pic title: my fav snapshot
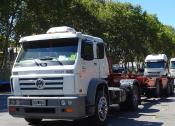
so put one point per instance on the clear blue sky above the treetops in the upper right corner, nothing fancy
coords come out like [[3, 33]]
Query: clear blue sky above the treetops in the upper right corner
[[164, 9]]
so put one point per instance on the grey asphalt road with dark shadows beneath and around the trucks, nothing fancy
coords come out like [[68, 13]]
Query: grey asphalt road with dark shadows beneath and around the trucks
[[152, 112]]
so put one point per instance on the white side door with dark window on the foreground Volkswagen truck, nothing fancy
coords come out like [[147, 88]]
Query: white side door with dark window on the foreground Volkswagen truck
[[89, 64]]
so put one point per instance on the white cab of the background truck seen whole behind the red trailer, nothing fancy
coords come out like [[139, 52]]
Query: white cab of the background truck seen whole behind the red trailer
[[156, 65]]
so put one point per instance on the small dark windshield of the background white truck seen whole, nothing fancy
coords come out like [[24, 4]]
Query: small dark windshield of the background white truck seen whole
[[160, 64]]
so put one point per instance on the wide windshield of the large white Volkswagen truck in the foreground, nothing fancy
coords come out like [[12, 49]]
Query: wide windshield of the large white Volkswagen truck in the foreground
[[51, 52]]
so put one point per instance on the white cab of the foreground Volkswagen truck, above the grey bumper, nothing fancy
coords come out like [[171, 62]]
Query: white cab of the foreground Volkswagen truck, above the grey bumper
[[61, 60]]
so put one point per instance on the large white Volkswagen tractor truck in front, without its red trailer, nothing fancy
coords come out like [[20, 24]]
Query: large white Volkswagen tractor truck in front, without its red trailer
[[65, 74]]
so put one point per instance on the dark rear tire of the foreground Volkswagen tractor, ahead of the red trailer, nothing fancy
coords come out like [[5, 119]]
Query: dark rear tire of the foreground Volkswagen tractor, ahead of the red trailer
[[132, 100]]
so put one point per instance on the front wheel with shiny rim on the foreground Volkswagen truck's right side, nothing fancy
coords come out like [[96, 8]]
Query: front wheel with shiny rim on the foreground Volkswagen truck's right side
[[101, 109]]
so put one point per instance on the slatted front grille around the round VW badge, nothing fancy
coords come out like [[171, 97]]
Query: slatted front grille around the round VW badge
[[55, 83]]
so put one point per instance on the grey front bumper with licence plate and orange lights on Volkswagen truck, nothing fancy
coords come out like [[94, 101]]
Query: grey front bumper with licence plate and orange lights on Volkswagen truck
[[51, 108]]
